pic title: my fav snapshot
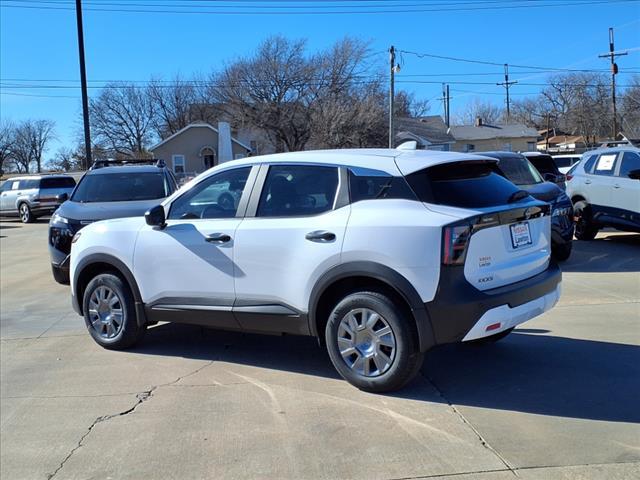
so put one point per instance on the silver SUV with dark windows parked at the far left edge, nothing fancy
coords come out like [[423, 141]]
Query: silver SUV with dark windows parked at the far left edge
[[33, 196]]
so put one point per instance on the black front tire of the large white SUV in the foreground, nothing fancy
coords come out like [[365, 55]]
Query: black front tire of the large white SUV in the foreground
[[128, 331]]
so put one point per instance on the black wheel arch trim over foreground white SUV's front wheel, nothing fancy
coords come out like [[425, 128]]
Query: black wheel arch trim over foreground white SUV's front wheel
[[98, 263]]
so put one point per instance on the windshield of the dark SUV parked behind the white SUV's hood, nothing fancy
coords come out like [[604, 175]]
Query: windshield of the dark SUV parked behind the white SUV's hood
[[120, 187]]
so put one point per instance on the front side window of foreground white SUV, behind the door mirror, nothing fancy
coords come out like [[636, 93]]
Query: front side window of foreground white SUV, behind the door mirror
[[216, 197]]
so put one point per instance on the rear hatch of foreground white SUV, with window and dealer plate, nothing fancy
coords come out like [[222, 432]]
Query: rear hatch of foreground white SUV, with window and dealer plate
[[499, 234]]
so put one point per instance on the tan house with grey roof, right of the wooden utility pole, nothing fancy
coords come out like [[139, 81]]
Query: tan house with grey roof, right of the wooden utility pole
[[482, 137]]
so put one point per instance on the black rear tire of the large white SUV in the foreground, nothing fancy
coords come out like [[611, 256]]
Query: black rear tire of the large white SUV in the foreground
[[406, 358]]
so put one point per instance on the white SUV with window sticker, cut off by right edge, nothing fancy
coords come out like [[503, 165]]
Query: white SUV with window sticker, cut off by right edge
[[605, 190]]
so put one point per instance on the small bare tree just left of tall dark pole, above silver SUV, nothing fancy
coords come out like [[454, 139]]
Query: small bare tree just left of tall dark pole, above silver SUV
[[30, 142]]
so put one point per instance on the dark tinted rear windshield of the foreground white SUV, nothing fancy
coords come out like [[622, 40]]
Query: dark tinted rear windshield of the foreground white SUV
[[464, 184]]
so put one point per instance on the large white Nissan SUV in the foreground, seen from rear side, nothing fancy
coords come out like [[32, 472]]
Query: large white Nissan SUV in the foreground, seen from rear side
[[381, 254]]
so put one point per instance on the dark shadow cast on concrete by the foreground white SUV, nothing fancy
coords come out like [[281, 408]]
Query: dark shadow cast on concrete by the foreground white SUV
[[526, 372]]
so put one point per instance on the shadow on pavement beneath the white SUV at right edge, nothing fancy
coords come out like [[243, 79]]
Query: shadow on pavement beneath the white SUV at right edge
[[607, 253]]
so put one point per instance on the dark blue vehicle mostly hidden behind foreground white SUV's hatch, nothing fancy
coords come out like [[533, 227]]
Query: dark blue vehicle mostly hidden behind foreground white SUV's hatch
[[521, 172]]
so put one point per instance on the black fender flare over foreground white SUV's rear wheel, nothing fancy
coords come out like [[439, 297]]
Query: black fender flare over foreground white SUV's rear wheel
[[392, 279]]
